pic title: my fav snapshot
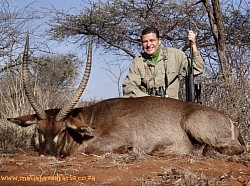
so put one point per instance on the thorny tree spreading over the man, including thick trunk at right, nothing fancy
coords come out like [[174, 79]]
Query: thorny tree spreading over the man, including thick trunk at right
[[117, 24]]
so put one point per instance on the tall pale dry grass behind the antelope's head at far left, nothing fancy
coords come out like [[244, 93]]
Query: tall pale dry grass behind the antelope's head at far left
[[14, 103]]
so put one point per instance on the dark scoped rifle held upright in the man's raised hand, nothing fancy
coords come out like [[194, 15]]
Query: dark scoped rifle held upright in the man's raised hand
[[193, 91]]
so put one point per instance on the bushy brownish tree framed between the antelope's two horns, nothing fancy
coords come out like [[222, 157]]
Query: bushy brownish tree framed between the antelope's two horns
[[56, 72]]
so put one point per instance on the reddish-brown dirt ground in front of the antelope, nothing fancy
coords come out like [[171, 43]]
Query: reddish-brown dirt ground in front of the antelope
[[27, 168]]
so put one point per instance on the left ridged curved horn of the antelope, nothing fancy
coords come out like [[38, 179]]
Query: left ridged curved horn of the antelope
[[26, 83]]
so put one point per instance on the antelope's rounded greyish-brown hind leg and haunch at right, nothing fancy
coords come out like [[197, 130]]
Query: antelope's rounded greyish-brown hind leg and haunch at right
[[214, 129]]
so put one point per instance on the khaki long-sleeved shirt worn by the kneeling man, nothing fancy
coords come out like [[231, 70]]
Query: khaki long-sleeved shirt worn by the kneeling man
[[170, 65]]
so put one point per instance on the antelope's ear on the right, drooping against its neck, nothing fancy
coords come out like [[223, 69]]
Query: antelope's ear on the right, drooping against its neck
[[79, 126]]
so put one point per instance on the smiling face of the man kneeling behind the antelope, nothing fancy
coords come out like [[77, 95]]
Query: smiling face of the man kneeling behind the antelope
[[150, 43]]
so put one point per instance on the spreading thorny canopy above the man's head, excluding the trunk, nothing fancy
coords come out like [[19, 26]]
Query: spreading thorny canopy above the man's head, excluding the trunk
[[117, 24]]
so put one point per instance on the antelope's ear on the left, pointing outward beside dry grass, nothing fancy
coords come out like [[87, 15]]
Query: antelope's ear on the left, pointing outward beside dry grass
[[24, 121]]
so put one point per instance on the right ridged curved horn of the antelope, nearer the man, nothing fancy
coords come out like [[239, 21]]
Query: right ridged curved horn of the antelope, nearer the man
[[67, 108]]
